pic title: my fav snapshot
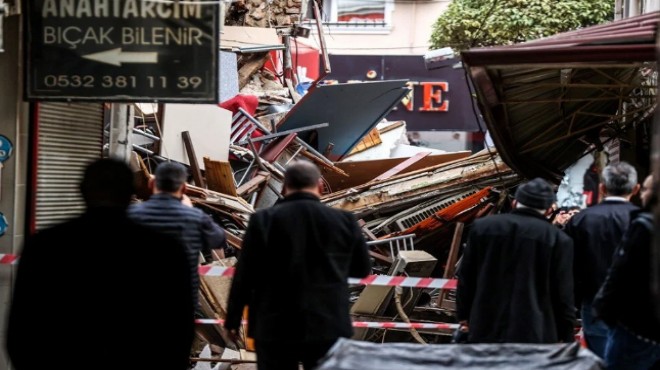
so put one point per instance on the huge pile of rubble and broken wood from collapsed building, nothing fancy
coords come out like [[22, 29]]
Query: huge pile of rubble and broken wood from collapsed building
[[412, 207]]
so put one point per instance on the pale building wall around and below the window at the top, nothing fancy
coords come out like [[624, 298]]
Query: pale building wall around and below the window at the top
[[409, 32]]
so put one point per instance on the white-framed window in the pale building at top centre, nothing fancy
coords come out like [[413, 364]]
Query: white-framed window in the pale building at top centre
[[355, 14]]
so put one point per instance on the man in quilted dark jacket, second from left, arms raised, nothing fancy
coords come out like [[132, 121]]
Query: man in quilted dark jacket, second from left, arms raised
[[166, 212]]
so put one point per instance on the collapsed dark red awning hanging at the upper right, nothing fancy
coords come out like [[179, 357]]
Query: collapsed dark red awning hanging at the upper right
[[547, 102]]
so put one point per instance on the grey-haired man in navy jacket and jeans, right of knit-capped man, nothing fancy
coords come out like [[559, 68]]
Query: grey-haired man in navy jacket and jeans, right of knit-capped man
[[596, 232]]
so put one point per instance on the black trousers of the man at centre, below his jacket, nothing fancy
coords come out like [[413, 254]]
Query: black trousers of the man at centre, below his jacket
[[285, 355]]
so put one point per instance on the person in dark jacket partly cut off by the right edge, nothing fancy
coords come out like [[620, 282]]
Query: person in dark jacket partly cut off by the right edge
[[625, 301]]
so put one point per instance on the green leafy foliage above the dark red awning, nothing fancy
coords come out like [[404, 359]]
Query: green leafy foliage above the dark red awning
[[473, 23]]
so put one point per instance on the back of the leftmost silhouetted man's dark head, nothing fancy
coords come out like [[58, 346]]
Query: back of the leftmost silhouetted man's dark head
[[107, 183]]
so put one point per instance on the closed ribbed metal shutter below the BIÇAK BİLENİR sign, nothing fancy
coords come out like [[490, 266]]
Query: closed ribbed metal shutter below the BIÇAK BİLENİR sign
[[69, 137]]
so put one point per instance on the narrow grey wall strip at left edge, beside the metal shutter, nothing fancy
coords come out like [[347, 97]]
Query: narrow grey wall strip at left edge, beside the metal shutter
[[13, 125]]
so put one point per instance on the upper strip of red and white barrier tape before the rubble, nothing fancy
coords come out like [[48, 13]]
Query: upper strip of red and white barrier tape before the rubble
[[380, 280]]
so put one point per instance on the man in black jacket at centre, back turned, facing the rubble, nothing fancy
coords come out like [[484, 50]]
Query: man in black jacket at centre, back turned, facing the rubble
[[292, 274]]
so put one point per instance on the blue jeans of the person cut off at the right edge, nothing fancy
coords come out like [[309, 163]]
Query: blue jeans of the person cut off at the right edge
[[627, 352]]
